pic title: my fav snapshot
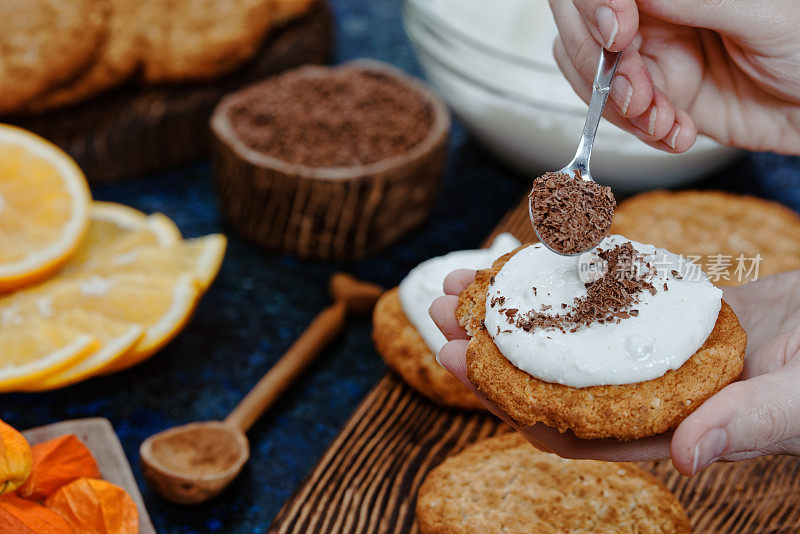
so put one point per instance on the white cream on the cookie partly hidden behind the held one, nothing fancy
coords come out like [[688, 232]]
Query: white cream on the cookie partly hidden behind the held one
[[423, 284]]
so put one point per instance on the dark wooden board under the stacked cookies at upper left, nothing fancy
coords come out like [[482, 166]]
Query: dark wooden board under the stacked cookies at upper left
[[137, 129]]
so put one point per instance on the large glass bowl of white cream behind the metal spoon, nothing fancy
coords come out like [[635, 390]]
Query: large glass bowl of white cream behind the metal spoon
[[498, 95]]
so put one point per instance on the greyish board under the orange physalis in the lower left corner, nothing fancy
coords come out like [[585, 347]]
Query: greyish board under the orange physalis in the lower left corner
[[98, 435]]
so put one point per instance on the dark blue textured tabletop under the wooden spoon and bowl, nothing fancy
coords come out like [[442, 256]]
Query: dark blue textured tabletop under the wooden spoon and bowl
[[261, 302]]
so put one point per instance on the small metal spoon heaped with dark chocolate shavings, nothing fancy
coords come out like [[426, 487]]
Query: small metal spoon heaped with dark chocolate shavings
[[549, 209]]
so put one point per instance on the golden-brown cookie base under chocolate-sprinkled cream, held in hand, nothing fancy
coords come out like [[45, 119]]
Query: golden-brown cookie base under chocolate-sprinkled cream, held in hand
[[625, 412]]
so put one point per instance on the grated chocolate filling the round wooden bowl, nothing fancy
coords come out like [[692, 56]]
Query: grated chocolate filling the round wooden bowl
[[342, 118]]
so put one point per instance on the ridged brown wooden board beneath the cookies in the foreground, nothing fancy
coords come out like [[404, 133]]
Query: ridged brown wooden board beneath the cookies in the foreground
[[367, 480]]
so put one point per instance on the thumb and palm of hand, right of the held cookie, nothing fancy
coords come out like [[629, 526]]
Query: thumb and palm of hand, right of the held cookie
[[760, 413]]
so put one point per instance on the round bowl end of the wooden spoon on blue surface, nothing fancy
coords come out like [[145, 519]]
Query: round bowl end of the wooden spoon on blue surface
[[193, 463]]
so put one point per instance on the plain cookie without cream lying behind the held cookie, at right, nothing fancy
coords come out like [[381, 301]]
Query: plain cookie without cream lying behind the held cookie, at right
[[726, 232]]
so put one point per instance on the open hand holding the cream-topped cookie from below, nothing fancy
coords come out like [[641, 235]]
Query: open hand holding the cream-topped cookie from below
[[758, 415]]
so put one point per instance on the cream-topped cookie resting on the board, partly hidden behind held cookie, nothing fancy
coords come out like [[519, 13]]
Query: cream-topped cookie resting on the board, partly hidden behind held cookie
[[406, 337]]
